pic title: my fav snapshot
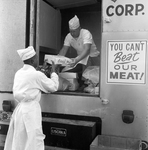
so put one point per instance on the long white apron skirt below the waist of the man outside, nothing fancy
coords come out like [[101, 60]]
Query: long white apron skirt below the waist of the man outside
[[25, 129]]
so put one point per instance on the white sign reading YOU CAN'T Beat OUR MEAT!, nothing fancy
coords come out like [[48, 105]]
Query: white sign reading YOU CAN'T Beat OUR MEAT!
[[126, 62]]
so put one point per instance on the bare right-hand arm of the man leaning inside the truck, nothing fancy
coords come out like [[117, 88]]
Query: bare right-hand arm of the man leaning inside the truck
[[85, 53]]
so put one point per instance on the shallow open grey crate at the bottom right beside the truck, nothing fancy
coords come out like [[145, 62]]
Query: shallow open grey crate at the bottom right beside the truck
[[105, 142]]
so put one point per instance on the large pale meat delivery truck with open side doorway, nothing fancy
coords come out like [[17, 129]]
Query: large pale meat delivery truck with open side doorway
[[120, 31]]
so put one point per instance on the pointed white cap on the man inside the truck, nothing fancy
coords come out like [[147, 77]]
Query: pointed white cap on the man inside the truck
[[74, 23]]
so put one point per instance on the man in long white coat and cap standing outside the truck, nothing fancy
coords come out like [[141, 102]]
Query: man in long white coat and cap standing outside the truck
[[25, 129]]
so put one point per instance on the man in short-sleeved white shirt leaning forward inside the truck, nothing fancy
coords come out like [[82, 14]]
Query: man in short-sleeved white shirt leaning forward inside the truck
[[82, 41]]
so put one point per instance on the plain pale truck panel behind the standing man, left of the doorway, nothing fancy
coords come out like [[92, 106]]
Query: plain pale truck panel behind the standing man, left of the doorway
[[12, 38]]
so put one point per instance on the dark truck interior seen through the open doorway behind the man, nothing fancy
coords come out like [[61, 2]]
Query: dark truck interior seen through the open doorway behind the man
[[53, 27]]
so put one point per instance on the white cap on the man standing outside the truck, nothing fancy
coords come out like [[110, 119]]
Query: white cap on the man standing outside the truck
[[26, 53]]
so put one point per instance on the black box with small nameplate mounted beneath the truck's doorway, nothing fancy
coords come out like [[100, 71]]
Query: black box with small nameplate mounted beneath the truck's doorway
[[67, 133]]
